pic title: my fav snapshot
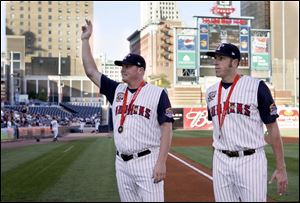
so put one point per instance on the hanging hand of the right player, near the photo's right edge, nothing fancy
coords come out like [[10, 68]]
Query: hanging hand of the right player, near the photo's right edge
[[280, 176]]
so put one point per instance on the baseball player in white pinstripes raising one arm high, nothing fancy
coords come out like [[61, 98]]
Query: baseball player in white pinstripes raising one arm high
[[142, 119]]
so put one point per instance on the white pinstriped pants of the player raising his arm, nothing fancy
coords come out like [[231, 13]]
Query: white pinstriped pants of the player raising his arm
[[135, 182]]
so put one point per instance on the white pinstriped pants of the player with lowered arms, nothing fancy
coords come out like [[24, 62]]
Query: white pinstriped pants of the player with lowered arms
[[240, 178]]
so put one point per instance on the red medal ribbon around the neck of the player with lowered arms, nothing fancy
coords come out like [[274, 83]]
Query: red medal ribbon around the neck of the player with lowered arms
[[221, 119]]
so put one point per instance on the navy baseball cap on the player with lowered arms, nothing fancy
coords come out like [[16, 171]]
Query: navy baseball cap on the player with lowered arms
[[226, 49]]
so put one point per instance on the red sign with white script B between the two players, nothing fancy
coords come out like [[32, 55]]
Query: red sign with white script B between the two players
[[196, 119]]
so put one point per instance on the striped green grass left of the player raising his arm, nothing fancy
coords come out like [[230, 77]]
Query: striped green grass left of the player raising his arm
[[75, 171]]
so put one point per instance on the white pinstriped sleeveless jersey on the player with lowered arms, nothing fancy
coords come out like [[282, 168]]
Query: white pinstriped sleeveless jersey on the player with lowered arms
[[242, 127]]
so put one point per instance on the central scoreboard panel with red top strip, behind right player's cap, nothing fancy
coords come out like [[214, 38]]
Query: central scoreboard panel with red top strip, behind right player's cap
[[213, 31]]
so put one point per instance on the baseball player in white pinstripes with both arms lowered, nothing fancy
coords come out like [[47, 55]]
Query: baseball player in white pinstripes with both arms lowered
[[238, 107]]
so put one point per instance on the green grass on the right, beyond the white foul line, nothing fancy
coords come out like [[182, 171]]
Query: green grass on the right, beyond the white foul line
[[203, 155]]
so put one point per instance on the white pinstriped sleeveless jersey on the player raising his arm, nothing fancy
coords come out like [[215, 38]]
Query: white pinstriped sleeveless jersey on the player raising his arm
[[141, 127]]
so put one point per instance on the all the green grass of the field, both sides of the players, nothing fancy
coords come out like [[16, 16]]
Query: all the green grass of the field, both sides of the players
[[83, 170]]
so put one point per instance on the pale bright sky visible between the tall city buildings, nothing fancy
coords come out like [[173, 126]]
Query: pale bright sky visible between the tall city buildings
[[115, 21]]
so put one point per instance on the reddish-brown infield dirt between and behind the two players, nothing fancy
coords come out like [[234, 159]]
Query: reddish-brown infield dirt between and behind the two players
[[186, 185]]
